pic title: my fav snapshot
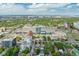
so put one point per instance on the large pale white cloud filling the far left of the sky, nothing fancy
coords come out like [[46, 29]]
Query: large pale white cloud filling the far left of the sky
[[11, 9]]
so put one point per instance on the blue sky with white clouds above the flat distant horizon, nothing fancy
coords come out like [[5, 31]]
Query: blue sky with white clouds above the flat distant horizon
[[68, 9]]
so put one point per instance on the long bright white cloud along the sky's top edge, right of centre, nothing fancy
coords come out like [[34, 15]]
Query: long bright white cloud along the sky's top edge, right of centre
[[47, 5]]
